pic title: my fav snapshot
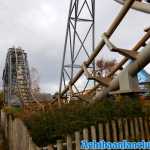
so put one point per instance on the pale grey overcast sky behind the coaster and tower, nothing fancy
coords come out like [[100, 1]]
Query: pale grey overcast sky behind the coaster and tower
[[38, 26]]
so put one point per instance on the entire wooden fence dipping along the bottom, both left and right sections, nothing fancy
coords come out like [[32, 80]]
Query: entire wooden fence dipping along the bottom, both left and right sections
[[116, 130]]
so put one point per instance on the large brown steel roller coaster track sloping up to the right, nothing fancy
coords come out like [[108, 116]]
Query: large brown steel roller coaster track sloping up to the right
[[138, 57]]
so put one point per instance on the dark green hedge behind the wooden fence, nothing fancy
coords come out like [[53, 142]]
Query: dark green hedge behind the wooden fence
[[47, 127]]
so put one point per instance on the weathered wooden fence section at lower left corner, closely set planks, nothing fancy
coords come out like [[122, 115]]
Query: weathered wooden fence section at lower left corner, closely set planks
[[16, 133]]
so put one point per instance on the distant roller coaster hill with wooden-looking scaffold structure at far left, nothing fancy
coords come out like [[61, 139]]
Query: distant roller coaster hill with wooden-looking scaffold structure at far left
[[16, 78]]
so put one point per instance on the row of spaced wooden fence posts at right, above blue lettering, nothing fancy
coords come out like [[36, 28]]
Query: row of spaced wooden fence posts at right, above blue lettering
[[116, 130]]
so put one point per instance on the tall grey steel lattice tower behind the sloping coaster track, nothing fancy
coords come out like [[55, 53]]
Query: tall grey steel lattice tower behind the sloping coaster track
[[79, 44]]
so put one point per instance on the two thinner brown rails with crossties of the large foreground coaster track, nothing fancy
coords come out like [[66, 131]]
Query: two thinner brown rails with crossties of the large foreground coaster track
[[105, 41]]
